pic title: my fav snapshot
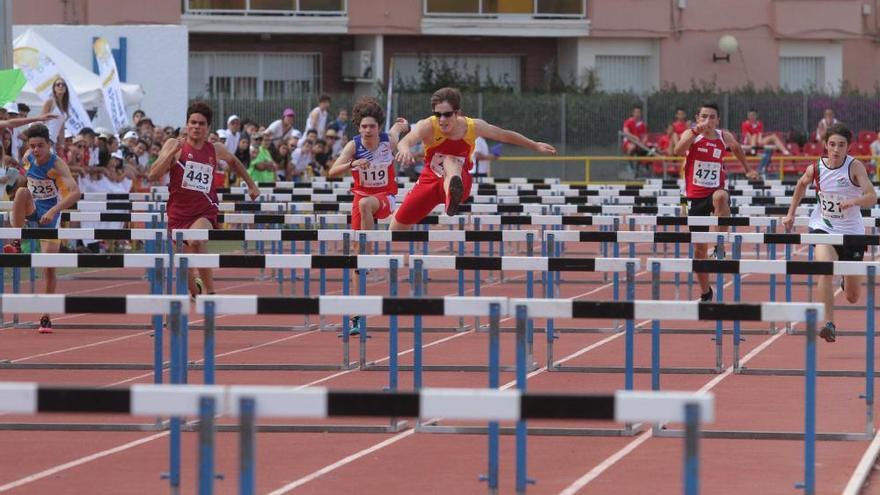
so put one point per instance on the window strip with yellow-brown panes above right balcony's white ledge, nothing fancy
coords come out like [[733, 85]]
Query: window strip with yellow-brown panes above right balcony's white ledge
[[492, 8]]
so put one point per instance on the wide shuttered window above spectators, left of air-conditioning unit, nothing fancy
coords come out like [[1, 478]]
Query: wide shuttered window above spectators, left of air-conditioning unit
[[253, 75]]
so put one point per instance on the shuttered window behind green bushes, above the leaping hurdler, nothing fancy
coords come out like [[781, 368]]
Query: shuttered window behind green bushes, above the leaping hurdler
[[501, 71]]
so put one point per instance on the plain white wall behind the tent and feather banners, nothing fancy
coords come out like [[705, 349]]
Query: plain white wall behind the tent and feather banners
[[157, 58]]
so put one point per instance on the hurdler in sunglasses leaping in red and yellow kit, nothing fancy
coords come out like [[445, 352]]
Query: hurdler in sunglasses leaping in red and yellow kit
[[449, 138]]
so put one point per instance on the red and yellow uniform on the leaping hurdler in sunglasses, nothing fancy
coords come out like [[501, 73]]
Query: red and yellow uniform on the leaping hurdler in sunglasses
[[428, 192]]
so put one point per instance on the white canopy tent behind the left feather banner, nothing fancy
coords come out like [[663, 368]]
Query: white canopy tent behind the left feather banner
[[86, 83]]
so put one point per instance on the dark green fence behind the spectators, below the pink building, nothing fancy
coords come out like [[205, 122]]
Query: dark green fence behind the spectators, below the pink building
[[589, 124]]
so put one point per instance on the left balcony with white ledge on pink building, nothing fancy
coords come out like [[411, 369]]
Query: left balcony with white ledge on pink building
[[266, 16]]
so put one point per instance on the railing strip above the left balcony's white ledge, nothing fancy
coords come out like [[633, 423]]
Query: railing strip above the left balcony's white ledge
[[337, 8]]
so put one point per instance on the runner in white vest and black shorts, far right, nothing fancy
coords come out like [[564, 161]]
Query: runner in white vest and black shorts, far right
[[843, 187]]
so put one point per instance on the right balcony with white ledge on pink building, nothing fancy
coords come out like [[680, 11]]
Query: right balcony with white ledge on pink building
[[505, 17]]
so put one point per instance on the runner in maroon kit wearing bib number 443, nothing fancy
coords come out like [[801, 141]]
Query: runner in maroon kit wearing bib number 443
[[192, 193]]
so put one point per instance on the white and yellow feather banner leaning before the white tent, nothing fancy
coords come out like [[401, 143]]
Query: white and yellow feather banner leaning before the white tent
[[41, 72]]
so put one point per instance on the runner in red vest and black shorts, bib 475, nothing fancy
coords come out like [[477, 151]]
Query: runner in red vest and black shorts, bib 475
[[704, 146]]
